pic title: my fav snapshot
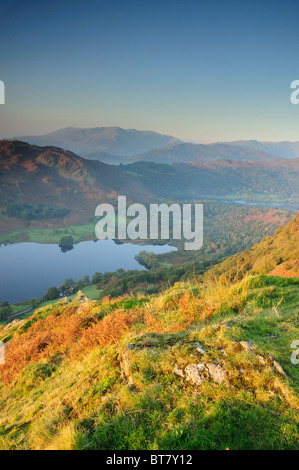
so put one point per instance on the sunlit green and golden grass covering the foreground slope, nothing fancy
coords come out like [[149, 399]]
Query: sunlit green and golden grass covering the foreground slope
[[86, 403]]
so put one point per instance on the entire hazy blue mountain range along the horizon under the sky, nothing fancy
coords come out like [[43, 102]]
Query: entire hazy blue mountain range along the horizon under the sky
[[115, 145]]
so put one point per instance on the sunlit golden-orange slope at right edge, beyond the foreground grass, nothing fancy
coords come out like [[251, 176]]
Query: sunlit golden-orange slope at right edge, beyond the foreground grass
[[268, 256]]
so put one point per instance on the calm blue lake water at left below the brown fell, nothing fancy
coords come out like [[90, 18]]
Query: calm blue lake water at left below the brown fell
[[28, 269]]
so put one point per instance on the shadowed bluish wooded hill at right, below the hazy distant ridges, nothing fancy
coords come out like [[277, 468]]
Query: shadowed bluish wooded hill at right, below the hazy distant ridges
[[266, 181]]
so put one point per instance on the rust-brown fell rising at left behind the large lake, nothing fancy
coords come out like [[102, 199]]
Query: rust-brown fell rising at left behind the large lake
[[50, 175]]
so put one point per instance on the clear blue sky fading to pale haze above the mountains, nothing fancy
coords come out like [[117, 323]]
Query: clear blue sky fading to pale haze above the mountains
[[201, 71]]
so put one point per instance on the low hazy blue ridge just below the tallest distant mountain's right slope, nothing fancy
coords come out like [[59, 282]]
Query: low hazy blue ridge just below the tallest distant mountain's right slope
[[185, 152]]
